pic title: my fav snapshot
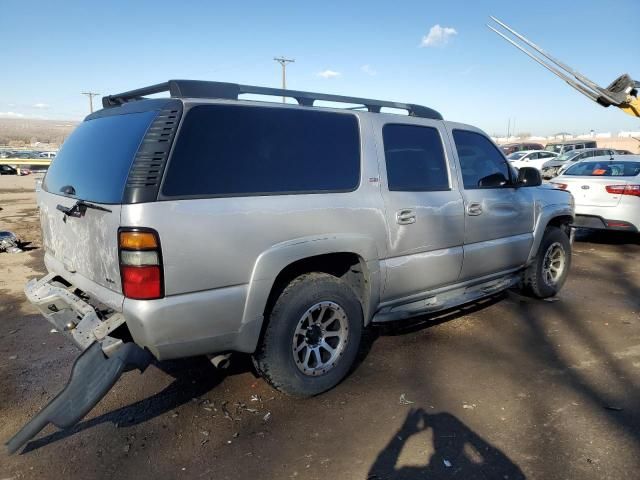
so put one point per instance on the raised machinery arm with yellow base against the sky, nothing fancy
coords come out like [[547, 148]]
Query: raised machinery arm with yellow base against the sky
[[622, 93]]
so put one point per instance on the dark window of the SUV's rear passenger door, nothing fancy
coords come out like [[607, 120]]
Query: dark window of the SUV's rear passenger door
[[415, 158]]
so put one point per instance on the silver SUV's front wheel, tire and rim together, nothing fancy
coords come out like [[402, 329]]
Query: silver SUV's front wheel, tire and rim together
[[546, 275]]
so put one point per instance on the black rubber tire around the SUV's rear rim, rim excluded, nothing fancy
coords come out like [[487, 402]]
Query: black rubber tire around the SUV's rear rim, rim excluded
[[274, 359]]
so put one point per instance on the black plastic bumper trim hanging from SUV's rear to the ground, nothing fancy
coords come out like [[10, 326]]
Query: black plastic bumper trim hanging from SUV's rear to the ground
[[92, 376]]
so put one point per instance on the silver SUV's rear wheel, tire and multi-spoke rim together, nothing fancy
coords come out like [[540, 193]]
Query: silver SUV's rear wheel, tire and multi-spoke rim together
[[312, 336]]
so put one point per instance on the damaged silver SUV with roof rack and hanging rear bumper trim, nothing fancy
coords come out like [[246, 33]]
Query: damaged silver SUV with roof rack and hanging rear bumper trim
[[204, 224]]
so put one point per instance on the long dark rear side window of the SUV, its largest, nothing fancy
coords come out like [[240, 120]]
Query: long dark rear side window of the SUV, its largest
[[225, 150]]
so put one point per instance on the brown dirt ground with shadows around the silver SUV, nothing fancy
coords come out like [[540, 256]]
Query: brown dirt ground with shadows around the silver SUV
[[509, 388]]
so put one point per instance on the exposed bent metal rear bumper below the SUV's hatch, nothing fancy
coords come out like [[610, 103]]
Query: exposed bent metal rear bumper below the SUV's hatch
[[72, 316]]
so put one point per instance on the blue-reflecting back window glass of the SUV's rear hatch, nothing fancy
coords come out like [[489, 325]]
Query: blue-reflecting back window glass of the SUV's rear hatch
[[96, 158]]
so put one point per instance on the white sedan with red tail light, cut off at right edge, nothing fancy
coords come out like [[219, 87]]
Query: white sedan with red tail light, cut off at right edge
[[606, 192]]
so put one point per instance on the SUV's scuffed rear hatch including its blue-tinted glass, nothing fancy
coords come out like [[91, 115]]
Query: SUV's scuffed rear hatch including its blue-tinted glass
[[88, 179]]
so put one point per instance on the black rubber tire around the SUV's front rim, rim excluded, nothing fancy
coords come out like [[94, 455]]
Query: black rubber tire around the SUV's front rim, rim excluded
[[534, 283]]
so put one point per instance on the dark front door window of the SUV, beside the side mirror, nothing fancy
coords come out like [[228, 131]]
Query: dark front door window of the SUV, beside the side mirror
[[482, 164]]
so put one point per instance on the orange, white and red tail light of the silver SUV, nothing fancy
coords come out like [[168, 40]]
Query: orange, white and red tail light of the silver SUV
[[140, 263]]
